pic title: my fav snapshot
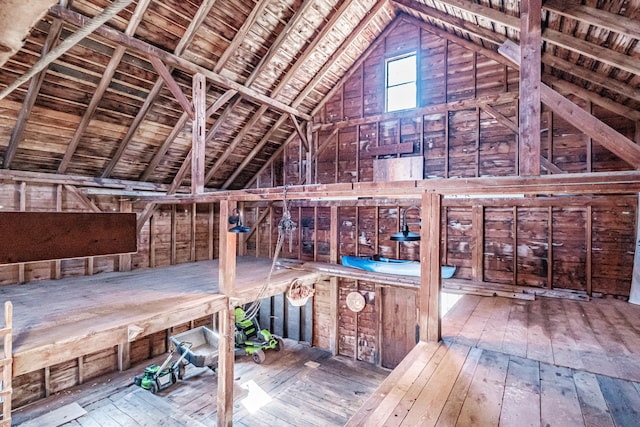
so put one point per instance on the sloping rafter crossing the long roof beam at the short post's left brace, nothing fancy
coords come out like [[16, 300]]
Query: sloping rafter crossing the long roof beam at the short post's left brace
[[186, 39]]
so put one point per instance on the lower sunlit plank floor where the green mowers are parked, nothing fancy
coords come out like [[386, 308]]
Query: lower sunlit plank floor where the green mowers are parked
[[325, 394]]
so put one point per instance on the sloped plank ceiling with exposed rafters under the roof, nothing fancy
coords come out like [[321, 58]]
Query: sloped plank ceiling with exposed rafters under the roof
[[102, 108]]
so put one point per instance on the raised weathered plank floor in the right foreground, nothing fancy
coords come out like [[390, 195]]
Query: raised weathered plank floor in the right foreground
[[547, 362]]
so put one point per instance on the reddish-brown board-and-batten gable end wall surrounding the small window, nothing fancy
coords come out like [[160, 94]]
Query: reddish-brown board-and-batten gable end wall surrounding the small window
[[465, 126]]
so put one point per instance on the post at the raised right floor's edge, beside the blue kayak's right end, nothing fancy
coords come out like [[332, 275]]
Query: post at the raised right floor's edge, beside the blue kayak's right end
[[430, 269]]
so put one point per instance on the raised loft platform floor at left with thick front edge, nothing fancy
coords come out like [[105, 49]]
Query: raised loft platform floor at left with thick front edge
[[57, 320]]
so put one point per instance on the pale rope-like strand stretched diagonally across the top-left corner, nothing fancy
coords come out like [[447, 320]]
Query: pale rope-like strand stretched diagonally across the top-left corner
[[108, 13]]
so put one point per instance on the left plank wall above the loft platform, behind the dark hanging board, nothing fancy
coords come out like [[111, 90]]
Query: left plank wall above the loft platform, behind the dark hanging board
[[175, 234]]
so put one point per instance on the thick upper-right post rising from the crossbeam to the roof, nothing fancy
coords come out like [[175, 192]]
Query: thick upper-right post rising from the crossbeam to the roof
[[530, 73]]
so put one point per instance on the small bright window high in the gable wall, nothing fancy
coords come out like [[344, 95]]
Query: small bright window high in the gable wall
[[401, 87]]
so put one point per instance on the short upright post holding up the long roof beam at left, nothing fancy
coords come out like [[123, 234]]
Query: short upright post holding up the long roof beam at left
[[199, 87]]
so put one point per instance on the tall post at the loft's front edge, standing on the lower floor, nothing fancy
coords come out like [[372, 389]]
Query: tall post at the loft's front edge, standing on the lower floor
[[227, 279]]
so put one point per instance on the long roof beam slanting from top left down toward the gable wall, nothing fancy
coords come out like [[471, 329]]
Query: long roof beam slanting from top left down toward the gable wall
[[168, 58]]
